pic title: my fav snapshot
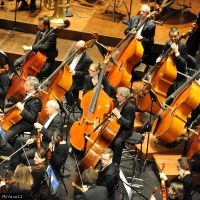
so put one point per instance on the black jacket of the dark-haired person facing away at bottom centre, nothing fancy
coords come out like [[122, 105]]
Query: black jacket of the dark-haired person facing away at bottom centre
[[94, 193]]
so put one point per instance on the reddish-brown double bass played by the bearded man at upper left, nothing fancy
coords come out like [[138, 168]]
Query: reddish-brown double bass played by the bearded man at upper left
[[33, 63]]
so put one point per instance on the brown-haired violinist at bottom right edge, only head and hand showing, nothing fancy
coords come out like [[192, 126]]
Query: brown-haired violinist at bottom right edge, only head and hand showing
[[175, 192]]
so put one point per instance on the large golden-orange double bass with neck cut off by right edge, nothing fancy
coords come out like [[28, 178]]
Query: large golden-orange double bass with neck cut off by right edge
[[170, 122]]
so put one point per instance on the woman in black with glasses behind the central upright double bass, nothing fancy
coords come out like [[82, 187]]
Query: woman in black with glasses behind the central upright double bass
[[91, 80]]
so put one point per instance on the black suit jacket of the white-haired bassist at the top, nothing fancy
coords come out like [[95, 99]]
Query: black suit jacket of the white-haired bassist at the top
[[148, 32]]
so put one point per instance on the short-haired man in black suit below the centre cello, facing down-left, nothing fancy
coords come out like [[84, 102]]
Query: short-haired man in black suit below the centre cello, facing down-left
[[108, 173]]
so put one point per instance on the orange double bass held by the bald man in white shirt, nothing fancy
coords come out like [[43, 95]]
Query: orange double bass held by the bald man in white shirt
[[60, 81]]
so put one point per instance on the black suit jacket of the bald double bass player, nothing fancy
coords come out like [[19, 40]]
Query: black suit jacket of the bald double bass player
[[81, 70]]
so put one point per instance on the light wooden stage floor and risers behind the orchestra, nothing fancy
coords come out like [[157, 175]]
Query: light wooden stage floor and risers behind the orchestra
[[88, 19]]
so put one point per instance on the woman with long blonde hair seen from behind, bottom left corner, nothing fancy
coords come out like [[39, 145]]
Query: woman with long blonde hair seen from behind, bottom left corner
[[20, 183]]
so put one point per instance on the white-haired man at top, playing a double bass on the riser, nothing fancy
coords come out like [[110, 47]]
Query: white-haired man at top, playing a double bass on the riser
[[145, 34]]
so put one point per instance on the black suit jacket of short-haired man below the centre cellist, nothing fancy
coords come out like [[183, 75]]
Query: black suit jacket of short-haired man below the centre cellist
[[108, 177]]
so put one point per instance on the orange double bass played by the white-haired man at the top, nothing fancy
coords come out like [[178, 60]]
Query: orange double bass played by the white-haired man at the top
[[125, 55]]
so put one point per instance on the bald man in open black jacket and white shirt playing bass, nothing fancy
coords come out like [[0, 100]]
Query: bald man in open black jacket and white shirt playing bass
[[78, 69]]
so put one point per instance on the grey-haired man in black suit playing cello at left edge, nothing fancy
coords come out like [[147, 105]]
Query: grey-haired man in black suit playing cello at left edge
[[28, 110]]
